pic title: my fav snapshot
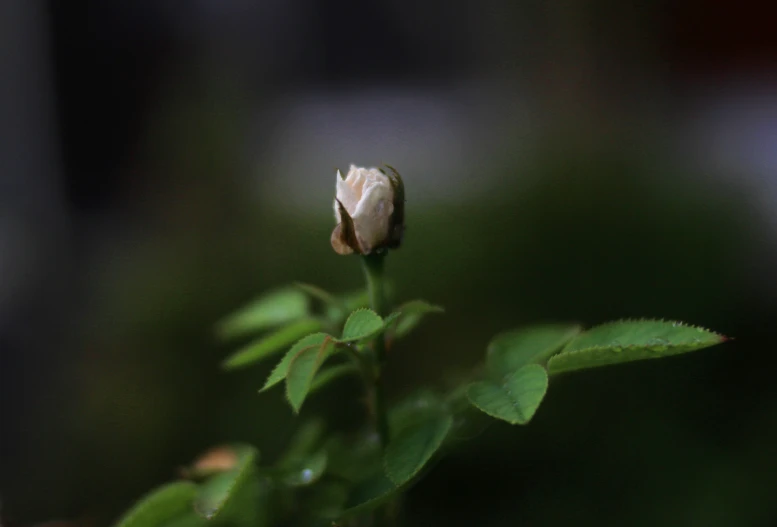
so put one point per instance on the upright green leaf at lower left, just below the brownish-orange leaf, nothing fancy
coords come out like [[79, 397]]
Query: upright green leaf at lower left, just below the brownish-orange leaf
[[231, 493]]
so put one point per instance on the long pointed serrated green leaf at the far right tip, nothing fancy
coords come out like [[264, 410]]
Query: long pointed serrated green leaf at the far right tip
[[631, 340]]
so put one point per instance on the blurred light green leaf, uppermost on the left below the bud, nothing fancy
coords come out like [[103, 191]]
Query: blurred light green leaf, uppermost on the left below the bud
[[269, 310]]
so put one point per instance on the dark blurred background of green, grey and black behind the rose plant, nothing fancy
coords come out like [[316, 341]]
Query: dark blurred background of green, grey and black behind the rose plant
[[161, 163]]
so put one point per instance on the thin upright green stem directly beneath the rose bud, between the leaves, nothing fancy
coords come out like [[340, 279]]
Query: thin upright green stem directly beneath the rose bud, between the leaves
[[373, 271]]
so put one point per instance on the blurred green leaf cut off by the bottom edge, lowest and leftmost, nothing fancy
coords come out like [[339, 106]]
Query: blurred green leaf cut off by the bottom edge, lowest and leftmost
[[160, 506]]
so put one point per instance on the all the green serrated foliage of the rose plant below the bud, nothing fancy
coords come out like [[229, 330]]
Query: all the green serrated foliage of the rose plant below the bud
[[323, 477]]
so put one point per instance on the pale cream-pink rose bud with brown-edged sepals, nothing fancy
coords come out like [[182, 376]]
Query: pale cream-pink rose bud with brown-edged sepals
[[369, 210]]
